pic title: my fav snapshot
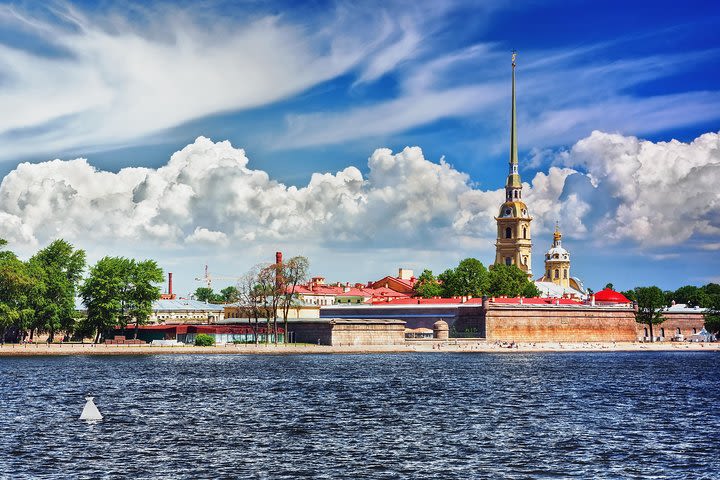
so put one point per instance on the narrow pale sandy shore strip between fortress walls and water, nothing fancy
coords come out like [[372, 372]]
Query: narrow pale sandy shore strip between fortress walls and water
[[436, 347]]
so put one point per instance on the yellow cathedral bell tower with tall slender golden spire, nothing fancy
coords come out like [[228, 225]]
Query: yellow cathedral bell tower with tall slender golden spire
[[513, 246]]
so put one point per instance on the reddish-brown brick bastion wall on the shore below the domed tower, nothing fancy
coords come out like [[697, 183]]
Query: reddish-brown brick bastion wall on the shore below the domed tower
[[581, 324]]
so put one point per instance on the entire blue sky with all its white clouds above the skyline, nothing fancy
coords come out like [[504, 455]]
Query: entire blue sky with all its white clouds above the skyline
[[366, 136]]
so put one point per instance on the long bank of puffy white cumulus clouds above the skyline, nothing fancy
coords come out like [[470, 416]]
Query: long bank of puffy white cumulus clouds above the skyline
[[609, 188]]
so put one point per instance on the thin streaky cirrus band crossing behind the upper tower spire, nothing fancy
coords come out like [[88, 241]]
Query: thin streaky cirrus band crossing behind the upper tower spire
[[563, 96]]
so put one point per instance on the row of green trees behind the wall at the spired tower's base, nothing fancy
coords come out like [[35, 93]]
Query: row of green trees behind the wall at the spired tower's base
[[471, 278]]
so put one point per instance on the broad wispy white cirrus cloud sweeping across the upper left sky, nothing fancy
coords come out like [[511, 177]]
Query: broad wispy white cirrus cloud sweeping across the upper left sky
[[104, 80]]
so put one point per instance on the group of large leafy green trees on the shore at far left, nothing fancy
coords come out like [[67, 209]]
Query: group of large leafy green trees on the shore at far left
[[37, 296]]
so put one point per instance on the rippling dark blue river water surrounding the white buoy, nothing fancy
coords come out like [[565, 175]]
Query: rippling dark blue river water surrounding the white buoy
[[549, 415]]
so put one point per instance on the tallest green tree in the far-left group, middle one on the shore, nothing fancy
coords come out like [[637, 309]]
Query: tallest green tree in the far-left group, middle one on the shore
[[59, 266]]
